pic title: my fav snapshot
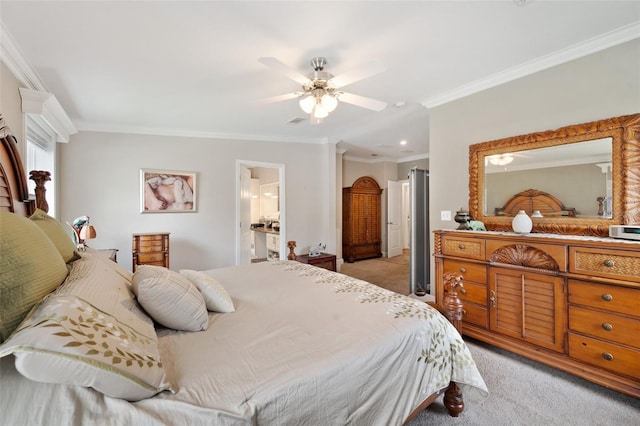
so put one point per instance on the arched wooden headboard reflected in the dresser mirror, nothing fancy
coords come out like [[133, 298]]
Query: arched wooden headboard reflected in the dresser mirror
[[532, 200]]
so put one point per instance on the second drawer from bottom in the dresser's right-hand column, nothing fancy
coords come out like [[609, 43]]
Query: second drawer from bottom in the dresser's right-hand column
[[606, 326]]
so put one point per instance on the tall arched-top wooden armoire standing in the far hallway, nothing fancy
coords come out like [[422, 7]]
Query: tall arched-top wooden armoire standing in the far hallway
[[361, 233]]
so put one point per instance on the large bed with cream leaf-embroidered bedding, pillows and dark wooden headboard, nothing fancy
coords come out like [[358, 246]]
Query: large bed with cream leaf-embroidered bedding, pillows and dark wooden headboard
[[280, 342]]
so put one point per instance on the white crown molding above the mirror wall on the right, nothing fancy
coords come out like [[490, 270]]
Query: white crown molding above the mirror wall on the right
[[593, 45]]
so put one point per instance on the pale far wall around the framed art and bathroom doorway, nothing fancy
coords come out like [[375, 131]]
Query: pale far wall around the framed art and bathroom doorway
[[100, 178]]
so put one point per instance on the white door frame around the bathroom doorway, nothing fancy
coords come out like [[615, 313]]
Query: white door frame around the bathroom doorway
[[283, 217]]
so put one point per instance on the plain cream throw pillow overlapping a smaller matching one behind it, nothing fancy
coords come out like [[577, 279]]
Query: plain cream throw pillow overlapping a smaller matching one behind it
[[170, 298]]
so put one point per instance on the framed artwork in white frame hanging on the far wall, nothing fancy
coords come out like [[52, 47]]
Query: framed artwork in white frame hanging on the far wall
[[167, 191]]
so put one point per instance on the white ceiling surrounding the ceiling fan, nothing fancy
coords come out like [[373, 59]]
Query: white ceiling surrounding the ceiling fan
[[191, 67]]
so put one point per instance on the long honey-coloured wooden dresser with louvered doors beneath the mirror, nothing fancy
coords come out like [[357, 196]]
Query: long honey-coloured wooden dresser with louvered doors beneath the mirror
[[569, 302]]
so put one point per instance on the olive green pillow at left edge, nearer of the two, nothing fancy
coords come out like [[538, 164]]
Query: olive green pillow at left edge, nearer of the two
[[30, 268]]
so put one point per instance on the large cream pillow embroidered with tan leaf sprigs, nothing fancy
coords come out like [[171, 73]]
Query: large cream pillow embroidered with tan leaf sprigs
[[90, 332]]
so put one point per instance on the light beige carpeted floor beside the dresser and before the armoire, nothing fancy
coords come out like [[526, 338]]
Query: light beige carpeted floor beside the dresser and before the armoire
[[522, 392]]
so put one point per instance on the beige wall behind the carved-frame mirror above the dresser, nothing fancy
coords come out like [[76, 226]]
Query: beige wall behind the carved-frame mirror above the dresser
[[601, 85]]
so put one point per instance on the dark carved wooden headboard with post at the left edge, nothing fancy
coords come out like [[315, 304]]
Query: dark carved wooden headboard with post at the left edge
[[14, 191]]
